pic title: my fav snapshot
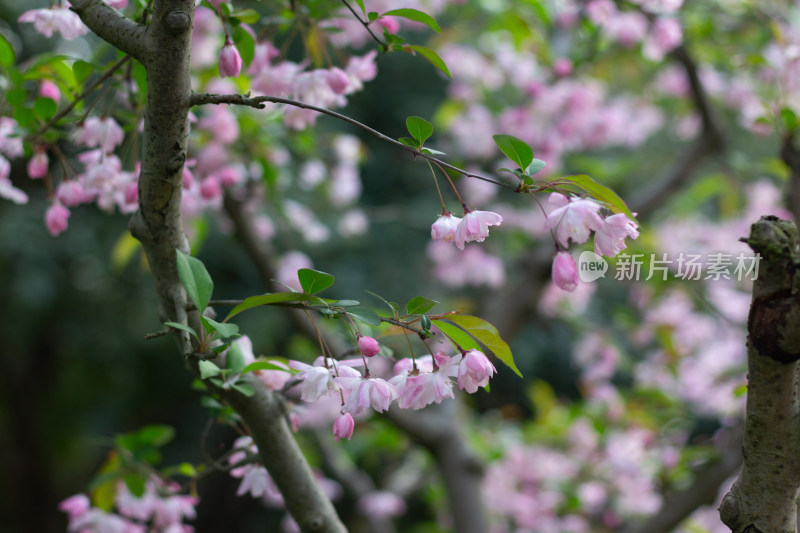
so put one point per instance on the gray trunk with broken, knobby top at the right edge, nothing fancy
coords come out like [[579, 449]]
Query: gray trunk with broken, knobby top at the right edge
[[764, 497]]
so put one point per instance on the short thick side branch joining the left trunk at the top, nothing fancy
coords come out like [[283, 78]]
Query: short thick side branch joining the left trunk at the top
[[113, 27]]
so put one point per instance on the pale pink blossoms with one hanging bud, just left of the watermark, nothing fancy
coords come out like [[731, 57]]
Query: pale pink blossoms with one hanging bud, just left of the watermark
[[572, 221]]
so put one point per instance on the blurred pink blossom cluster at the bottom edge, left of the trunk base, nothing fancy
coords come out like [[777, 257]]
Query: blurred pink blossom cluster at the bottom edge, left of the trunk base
[[159, 509]]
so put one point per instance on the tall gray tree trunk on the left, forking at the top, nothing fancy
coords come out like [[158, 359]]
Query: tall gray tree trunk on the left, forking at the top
[[163, 48]]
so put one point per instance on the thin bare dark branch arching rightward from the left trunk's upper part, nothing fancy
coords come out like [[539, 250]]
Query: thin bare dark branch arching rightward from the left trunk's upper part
[[259, 101]]
